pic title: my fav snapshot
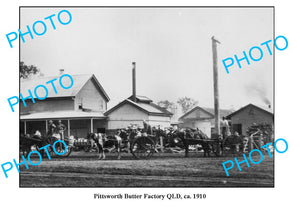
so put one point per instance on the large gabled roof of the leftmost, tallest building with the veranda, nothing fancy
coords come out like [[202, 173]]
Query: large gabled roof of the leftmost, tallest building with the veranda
[[78, 83]]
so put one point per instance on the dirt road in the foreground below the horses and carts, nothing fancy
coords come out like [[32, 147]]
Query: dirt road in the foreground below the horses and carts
[[163, 170]]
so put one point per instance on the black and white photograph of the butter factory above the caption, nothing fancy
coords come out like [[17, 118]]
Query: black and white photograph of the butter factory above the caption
[[147, 96]]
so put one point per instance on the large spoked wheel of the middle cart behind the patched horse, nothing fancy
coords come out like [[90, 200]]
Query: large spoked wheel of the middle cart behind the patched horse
[[142, 147]]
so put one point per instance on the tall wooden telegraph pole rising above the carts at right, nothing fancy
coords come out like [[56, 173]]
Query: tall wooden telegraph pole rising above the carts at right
[[216, 88]]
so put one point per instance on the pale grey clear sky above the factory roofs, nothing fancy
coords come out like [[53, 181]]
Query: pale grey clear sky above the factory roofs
[[172, 49]]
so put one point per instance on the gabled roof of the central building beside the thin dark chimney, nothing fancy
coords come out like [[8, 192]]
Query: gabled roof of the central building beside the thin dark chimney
[[147, 107]]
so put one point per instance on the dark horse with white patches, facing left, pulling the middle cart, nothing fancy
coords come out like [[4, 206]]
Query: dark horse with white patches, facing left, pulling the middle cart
[[101, 141]]
